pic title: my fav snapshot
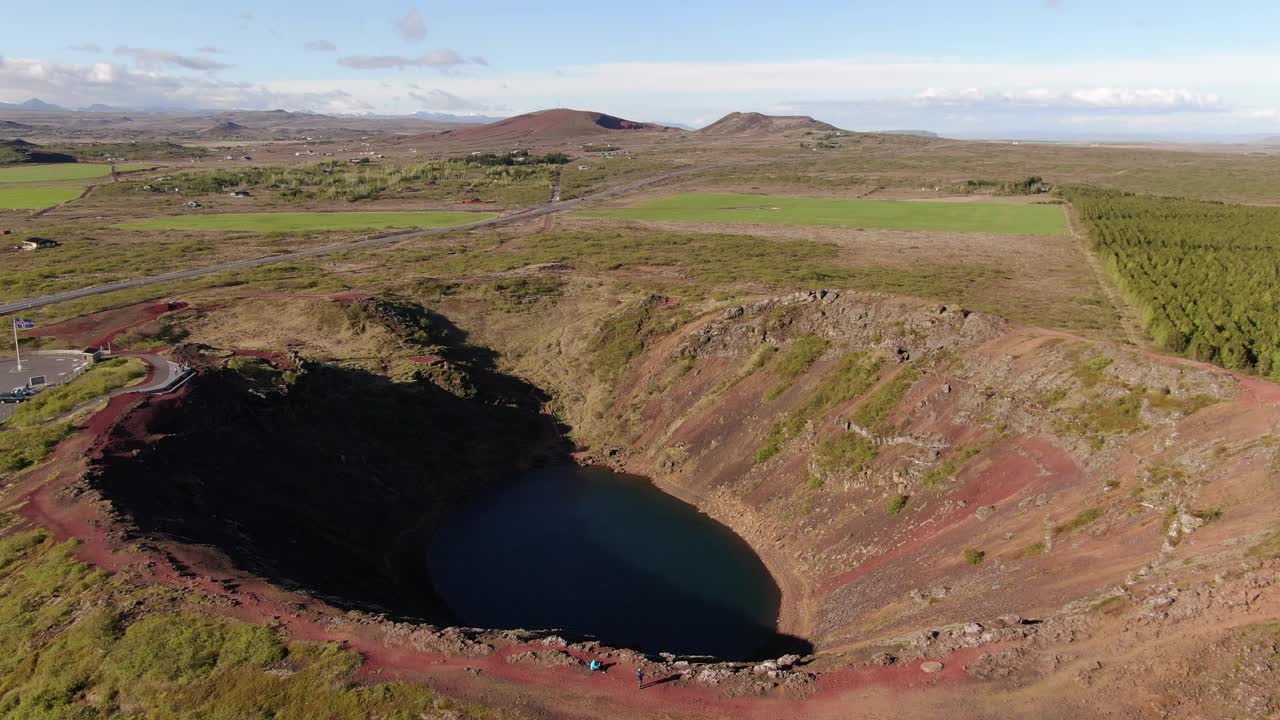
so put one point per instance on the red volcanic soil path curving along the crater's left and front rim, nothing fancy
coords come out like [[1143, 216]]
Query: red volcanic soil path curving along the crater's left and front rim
[[568, 692]]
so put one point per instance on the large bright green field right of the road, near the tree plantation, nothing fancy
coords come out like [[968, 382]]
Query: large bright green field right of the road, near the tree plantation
[[999, 218]]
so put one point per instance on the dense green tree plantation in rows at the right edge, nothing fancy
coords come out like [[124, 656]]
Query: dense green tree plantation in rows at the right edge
[[1203, 274]]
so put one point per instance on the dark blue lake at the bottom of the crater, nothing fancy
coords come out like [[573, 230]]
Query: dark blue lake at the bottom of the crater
[[600, 554]]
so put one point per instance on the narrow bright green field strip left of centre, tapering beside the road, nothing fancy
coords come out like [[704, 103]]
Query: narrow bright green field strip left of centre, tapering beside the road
[[303, 222]]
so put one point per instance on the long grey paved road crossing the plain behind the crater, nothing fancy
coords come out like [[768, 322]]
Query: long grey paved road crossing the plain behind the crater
[[551, 208]]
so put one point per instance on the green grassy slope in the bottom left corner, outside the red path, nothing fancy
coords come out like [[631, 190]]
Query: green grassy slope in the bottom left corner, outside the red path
[[81, 644]]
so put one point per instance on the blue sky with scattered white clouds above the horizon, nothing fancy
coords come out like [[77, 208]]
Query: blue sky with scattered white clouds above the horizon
[[979, 69]]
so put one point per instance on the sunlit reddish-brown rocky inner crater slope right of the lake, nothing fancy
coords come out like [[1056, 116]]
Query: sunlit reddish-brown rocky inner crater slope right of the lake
[[921, 466]]
